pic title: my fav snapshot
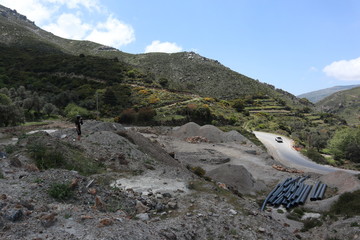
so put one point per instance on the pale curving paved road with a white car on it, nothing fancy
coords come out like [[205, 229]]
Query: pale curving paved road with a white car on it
[[284, 153]]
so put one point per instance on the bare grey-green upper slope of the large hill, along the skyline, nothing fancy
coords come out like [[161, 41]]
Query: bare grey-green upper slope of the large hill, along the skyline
[[184, 71]]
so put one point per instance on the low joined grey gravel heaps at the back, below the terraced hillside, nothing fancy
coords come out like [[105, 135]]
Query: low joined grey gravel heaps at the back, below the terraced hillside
[[210, 132]]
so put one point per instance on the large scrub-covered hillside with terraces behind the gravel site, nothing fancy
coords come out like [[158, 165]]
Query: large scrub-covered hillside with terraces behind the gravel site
[[44, 76]]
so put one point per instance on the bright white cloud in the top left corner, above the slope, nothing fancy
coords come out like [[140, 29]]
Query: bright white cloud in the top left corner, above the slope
[[34, 10]]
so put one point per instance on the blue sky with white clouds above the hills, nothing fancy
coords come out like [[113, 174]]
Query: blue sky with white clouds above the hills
[[296, 45]]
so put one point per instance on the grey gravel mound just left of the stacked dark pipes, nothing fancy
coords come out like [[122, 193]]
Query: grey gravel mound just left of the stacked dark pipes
[[236, 177]]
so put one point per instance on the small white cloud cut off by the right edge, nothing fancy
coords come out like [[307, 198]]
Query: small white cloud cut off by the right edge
[[346, 70]]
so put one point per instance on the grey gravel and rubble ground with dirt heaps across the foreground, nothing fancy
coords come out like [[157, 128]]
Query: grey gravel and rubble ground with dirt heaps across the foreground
[[157, 198]]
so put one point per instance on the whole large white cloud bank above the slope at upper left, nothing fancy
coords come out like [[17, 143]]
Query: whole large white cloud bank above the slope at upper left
[[72, 24]]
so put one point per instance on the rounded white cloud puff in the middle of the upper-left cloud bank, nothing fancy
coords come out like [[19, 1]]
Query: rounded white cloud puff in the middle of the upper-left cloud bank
[[69, 26]]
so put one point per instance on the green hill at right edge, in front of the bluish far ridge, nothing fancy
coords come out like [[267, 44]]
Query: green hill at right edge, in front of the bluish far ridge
[[345, 103]]
